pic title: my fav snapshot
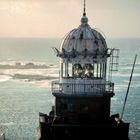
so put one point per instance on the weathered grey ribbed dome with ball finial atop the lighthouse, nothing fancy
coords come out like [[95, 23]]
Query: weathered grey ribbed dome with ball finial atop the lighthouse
[[83, 41]]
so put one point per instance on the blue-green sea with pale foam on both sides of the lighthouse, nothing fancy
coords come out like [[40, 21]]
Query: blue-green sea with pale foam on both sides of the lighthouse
[[22, 98]]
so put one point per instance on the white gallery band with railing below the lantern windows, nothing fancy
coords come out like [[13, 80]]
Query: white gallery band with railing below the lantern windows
[[74, 88]]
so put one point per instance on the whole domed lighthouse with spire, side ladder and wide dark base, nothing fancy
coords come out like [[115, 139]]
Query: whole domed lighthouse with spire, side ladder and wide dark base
[[84, 90]]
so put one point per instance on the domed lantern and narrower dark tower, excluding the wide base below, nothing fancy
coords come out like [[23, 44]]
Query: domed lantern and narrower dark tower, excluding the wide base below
[[83, 92]]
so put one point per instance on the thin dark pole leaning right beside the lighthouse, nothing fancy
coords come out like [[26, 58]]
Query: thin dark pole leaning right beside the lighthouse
[[128, 87]]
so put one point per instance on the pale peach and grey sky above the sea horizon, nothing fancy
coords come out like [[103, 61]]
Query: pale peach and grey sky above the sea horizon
[[55, 18]]
